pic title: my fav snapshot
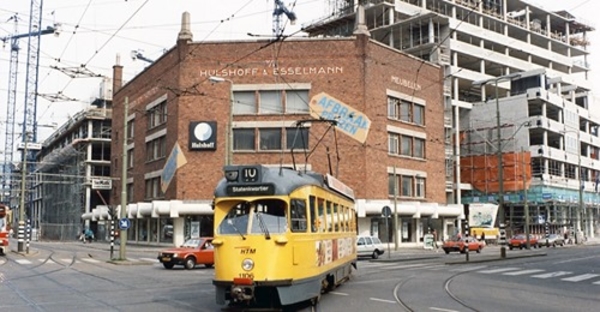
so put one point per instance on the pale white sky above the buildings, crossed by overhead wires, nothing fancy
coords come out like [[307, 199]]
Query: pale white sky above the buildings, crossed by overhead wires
[[93, 32]]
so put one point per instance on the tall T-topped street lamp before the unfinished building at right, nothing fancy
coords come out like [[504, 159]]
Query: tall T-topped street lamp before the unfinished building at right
[[499, 152]]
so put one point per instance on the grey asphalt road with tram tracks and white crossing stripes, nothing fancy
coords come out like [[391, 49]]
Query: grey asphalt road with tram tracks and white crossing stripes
[[76, 277]]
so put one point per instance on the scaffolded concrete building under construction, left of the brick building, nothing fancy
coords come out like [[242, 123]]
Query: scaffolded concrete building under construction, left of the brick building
[[73, 172]]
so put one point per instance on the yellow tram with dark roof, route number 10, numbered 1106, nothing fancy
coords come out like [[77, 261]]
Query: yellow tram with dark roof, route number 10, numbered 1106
[[281, 236]]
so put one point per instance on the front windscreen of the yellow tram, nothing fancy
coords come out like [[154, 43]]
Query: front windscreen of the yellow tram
[[263, 217]]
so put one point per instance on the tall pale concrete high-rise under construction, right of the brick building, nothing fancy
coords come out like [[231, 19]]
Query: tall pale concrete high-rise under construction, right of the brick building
[[482, 41]]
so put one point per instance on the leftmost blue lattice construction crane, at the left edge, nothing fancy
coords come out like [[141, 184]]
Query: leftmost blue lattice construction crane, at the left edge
[[12, 96]]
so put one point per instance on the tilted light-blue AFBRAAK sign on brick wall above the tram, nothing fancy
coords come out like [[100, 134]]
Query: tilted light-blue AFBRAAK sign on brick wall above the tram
[[349, 120]]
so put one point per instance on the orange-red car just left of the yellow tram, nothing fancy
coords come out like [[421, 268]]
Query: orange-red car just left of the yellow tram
[[194, 251]]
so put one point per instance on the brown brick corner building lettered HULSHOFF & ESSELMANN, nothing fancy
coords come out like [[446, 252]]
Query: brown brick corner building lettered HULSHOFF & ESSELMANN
[[183, 101]]
